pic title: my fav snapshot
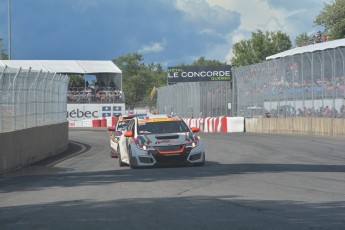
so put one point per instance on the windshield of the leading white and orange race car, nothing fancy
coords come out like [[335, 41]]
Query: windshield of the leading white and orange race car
[[163, 127]]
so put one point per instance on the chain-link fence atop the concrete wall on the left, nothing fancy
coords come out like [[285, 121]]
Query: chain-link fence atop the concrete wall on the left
[[30, 99]]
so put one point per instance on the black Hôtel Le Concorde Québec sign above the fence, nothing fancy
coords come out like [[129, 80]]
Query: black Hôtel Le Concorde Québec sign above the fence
[[199, 73]]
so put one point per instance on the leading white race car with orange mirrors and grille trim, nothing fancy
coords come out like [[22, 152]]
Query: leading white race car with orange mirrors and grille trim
[[159, 140]]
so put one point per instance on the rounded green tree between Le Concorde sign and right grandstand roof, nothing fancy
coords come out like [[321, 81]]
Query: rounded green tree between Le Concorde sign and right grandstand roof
[[260, 46]]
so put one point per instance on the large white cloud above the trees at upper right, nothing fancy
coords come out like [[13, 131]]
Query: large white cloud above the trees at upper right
[[291, 17]]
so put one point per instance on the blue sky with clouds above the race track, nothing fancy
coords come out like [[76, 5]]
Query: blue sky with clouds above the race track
[[168, 32]]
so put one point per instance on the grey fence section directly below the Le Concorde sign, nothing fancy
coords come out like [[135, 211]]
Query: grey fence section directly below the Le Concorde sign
[[196, 99]]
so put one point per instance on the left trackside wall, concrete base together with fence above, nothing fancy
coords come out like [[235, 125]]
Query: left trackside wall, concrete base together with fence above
[[33, 123]]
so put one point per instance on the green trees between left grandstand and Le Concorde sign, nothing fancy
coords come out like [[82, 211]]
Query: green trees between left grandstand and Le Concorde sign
[[139, 78]]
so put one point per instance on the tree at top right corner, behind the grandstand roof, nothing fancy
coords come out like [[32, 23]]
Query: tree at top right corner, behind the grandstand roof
[[332, 17]]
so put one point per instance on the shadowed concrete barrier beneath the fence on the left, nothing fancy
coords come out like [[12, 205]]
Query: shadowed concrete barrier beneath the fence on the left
[[24, 147]]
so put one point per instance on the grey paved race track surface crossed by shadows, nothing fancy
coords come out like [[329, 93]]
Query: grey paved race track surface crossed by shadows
[[248, 182]]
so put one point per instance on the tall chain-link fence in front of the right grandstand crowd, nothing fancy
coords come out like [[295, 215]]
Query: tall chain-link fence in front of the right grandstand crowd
[[308, 84]]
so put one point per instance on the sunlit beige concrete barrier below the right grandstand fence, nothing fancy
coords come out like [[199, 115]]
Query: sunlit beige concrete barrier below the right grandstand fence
[[297, 125]]
